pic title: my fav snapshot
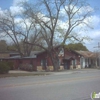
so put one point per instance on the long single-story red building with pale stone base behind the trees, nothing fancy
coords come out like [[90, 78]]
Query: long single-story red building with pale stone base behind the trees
[[40, 60]]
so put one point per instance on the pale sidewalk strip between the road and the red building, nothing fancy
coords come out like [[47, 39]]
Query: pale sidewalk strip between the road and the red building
[[18, 73]]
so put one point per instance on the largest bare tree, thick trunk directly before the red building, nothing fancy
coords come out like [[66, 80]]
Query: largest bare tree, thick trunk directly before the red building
[[49, 18]]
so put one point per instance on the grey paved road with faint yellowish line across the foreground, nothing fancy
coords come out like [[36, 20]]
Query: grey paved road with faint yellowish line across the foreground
[[59, 86]]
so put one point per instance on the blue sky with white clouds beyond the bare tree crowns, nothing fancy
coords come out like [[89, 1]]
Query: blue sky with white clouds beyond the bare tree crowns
[[93, 33]]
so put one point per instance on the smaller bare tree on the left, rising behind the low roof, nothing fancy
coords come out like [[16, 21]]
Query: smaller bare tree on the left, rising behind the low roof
[[19, 29]]
